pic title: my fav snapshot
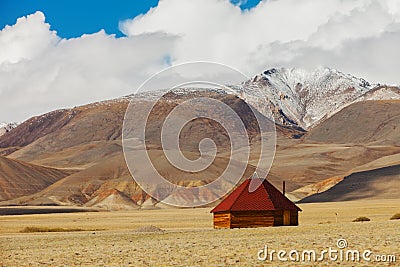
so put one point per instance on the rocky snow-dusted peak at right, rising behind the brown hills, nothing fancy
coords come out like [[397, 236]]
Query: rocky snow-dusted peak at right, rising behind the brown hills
[[305, 97]]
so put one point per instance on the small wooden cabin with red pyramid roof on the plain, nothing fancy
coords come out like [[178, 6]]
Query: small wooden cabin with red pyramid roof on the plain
[[265, 206]]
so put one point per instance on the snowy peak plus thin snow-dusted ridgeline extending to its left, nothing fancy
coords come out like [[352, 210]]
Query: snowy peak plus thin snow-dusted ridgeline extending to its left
[[295, 96]]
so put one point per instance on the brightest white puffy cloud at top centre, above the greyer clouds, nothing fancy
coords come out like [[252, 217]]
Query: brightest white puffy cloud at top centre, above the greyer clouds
[[217, 30]]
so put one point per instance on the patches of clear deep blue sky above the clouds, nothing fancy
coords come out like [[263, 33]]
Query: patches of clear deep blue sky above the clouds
[[72, 18]]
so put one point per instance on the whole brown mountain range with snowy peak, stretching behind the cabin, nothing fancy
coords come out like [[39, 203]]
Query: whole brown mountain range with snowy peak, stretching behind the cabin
[[334, 132]]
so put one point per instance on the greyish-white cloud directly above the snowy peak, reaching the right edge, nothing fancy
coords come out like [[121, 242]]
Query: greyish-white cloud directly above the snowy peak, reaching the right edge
[[362, 42]]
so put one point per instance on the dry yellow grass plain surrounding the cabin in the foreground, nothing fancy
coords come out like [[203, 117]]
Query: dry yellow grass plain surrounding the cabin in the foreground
[[188, 238]]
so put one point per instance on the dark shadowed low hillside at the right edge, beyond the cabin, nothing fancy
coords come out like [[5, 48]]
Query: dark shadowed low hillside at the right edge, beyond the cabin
[[380, 183]]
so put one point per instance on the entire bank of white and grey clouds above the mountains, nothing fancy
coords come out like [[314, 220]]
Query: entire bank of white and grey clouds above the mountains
[[40, 71]]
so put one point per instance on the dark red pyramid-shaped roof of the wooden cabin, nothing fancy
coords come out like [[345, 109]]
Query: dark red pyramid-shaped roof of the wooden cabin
[[265, 197]]
